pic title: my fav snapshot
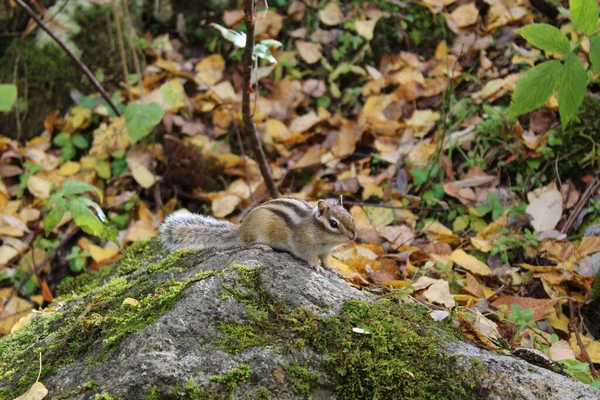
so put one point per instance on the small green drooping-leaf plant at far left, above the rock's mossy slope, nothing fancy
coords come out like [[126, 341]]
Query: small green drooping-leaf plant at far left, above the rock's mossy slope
[[70, 198]]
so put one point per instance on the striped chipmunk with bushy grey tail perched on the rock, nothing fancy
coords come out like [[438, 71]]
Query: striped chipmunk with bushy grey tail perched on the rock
[[289, 224]]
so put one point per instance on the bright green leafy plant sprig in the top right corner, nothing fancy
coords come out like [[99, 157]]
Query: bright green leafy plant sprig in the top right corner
[[566, 77]]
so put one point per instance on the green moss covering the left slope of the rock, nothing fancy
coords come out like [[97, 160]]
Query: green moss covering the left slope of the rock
[[98, 323]]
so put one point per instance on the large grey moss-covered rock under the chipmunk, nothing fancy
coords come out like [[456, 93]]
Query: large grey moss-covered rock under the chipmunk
[[252, 324]]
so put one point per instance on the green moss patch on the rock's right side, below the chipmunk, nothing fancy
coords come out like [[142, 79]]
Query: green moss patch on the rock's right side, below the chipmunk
[[399, 356]]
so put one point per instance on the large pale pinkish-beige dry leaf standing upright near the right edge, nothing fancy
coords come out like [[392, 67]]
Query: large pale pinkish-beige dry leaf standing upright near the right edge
[[545, 207]]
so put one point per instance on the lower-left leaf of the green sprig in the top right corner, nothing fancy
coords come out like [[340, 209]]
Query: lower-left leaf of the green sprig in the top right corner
[[535, 87]]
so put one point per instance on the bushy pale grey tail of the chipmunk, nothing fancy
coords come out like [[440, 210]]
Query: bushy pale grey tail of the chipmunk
[[198, 231]]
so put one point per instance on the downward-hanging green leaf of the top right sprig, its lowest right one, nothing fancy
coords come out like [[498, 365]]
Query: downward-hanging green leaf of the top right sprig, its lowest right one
[[572, 88]]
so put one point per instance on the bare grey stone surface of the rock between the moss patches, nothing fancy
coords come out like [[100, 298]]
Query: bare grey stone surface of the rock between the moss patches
[[181, 343]]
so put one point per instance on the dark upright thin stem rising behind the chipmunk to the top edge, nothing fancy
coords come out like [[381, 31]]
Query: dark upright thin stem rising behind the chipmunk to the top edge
[[249, 126]]
